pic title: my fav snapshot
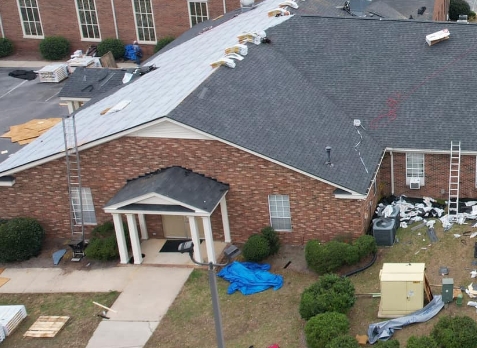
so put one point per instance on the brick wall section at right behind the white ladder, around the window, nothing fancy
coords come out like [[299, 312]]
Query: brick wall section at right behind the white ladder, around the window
[[436, 173]]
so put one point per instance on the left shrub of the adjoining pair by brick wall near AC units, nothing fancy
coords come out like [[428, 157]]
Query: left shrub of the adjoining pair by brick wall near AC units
[[325, 258]]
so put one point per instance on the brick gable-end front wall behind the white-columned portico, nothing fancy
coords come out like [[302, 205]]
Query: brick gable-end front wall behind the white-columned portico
[[41, 192]]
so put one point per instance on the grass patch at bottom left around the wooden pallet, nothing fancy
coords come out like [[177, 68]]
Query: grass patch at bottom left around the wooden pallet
[[77, 331]]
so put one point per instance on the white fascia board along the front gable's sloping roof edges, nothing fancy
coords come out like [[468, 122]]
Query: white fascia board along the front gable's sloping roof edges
[[164, 119]]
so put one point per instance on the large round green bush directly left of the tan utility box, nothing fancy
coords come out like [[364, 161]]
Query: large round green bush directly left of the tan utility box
[[331, 293]]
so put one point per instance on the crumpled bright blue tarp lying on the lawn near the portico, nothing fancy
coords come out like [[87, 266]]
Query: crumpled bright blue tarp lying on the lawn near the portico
[[250, 277]]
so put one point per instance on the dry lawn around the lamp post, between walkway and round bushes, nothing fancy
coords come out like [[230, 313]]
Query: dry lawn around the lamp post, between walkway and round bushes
[[260, 320]]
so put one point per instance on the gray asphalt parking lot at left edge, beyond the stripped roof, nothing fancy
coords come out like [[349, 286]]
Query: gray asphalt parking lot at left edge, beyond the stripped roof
[[22, 101]]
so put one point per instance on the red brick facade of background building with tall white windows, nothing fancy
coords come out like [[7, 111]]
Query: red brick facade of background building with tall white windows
[[59, 17]]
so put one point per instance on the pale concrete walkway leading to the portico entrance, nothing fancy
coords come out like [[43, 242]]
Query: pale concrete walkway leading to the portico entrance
[[146, 294]]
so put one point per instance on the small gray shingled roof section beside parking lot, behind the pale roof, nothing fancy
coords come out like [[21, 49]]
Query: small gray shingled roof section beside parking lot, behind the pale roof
[[90, 82]]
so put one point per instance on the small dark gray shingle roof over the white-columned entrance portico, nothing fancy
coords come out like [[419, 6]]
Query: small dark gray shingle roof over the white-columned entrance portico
[[176, 183]]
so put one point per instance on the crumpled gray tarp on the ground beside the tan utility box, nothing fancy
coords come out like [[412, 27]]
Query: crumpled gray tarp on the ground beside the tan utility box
[[385, 329]]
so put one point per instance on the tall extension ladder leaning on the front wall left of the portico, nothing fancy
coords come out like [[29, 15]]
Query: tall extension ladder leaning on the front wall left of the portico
[[73, 171]]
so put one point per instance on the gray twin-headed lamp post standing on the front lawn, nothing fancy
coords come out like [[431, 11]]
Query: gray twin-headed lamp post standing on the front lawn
[[230, 252]]
